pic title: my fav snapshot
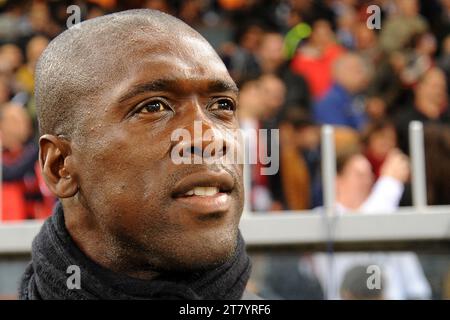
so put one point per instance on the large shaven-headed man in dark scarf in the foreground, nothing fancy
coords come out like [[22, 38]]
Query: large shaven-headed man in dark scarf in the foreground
[[130, 223]]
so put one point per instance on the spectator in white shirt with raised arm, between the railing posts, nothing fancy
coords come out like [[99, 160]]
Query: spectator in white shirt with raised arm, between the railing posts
[[356, 191]]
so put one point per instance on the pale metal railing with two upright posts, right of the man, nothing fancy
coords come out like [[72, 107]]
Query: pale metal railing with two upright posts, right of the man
[[409, 227]]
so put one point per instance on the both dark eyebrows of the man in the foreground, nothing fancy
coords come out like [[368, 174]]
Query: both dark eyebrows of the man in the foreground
[[173, 85]]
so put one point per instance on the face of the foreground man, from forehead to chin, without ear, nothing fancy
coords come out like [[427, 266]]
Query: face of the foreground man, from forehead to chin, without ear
[[127, 177]]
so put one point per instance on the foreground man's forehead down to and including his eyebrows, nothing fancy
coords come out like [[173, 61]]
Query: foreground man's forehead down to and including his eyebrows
[[187, 65]]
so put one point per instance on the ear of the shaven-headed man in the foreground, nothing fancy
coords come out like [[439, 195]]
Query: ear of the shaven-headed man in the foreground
[[56, 165]]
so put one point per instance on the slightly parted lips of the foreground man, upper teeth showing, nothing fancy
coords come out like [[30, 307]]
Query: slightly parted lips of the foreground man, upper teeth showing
[[205, 192]]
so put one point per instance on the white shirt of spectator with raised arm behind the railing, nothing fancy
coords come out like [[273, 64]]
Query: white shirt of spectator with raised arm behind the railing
[[401, 271]]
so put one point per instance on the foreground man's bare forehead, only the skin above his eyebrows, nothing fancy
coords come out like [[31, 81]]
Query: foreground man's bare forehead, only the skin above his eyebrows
[[189, 53]]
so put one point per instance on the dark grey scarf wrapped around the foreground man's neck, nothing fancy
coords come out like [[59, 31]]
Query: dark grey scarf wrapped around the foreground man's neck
[[53, 251]]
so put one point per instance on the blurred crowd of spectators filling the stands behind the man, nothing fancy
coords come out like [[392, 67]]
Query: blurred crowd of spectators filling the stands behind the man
[[299, 64]]
